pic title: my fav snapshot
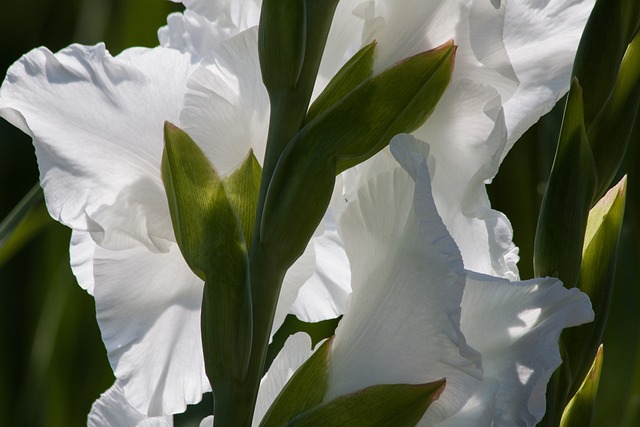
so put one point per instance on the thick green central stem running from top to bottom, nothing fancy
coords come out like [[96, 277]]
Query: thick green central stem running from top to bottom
[[235, 402]]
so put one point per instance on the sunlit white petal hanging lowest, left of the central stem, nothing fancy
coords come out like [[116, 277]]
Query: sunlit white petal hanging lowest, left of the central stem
[[148, 309]]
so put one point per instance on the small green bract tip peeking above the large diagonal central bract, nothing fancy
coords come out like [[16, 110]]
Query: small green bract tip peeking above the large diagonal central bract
[[354, 72]]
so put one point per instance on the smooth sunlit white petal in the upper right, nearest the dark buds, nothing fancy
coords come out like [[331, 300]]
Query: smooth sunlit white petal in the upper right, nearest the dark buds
[[541, 38]]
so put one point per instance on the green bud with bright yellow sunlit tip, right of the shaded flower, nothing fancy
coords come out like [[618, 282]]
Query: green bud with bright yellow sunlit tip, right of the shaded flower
[[597, 273]]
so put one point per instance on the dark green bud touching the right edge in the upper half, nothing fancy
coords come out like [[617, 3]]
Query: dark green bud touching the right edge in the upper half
[[610, 132]]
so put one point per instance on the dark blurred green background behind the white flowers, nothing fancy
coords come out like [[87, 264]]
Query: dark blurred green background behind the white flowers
[[53, 365]]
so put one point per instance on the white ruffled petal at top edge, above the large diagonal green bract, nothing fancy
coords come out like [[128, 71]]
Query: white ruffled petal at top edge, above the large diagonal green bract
[[414, 26]]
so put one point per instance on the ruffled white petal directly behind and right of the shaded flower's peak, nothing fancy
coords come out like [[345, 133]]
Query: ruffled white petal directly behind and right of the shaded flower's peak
[[474, 150]]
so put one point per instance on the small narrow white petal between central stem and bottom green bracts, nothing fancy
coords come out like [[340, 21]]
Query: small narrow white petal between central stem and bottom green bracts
[[295, 352]]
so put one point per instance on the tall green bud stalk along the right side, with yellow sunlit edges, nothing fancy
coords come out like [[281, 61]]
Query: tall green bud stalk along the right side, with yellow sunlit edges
[[607, 66]]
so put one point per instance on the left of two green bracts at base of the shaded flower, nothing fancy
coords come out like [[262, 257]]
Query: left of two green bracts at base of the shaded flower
[[305, 390]]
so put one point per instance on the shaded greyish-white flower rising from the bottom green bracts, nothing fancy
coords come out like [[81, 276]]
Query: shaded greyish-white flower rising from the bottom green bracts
[[416, 315]]
